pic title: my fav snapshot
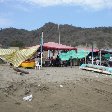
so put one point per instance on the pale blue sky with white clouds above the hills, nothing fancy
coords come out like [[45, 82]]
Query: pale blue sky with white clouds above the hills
[[33, 14]]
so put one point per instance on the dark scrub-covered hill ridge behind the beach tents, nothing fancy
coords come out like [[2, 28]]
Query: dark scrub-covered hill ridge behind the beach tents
[[101, 37]]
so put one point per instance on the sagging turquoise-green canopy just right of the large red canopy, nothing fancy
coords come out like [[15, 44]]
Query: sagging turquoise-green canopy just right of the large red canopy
[[79, 54]]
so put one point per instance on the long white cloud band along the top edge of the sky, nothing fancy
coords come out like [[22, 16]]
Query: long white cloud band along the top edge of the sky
[[95, 4]]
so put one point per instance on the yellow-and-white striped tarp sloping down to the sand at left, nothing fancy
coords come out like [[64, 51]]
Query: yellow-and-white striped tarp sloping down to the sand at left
[[18, 56]]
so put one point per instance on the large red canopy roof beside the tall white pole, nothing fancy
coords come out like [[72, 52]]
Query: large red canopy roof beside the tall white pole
[[56, 46]]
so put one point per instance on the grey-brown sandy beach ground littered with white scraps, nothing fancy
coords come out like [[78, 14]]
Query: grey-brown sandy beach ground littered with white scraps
[[56, 89]]
